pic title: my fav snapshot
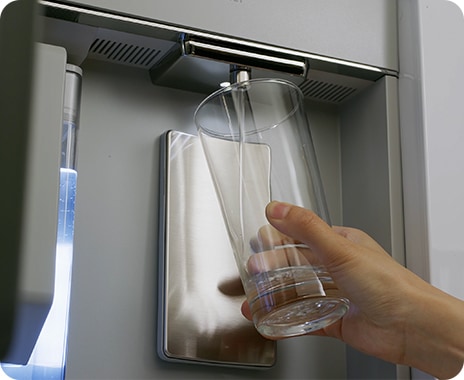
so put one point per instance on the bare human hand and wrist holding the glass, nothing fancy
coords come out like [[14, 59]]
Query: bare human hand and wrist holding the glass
[[394, 315]]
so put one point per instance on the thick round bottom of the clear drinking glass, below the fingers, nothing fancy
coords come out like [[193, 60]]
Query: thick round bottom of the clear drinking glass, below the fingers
[[302, 317]]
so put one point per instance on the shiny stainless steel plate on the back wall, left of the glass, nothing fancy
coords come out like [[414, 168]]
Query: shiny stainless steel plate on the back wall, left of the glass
[[200, 294]]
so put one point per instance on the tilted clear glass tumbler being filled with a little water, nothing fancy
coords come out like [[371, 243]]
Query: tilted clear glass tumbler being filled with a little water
[[258, 146]]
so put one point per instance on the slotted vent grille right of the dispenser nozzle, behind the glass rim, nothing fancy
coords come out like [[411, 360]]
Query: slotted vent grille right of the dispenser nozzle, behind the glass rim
[[325, 91]]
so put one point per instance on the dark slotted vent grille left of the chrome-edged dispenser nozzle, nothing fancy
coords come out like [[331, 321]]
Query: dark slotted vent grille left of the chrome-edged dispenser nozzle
[[124, 53]]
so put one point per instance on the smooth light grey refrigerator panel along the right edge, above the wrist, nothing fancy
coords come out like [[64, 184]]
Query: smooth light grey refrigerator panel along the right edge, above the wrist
[[432, 121]]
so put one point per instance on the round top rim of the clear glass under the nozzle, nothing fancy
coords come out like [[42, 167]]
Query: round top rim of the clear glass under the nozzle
[[233, 86]]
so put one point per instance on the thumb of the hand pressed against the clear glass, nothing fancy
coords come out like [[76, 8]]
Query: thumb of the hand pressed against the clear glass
[[304, 225]]
